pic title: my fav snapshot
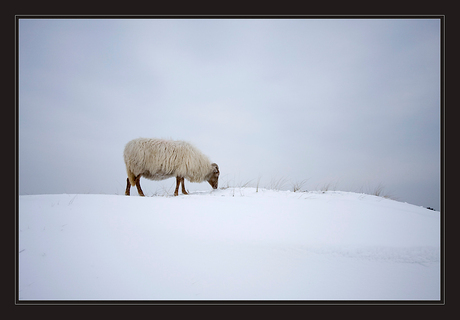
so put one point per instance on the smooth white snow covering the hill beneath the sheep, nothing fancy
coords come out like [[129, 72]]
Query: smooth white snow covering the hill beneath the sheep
[[230, 244]]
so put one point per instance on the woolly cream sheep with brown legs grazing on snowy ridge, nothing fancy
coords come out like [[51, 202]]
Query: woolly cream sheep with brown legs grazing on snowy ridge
[[159, 159]]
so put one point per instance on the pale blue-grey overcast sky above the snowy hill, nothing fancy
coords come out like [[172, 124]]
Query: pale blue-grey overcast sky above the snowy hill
[[350, 103]]
